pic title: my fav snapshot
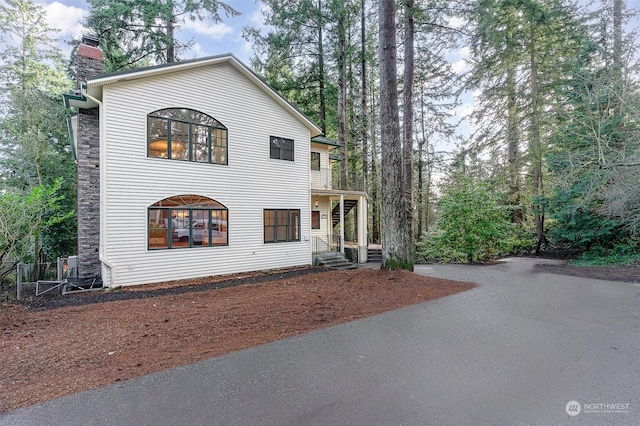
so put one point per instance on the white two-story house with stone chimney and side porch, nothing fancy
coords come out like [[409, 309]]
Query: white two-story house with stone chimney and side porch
[[198, 168]]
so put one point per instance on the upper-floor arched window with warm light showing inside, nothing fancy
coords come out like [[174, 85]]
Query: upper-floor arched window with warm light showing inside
[[186, 134]]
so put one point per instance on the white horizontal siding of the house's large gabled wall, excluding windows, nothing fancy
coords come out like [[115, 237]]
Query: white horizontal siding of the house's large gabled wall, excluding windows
[[250, 182]]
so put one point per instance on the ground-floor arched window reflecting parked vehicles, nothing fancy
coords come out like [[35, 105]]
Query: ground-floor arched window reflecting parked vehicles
[[187, 221]]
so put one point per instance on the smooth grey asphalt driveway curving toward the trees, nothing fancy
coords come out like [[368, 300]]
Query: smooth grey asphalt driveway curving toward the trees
[[515, 350]]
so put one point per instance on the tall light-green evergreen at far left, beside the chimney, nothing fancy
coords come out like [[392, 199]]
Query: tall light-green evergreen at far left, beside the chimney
[[34, 141]]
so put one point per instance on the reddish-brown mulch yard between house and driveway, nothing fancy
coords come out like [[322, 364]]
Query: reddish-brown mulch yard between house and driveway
[[56, 346]]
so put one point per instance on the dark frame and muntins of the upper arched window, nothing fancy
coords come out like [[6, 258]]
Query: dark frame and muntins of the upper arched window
[[213, 142]]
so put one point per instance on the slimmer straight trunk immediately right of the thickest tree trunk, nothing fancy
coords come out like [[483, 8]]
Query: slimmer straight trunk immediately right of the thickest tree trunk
[[407, 114]]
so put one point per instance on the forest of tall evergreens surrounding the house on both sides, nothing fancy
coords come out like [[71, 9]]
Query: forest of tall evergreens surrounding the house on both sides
[[545, 158]]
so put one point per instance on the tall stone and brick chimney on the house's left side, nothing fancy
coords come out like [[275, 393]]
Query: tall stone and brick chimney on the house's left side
[[90, 62]]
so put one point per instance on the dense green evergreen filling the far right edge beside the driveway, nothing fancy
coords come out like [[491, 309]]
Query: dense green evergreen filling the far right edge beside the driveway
[[596, 159]]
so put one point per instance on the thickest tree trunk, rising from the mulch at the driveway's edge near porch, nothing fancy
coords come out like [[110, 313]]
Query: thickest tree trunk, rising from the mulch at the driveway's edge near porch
[[395, 231]]
